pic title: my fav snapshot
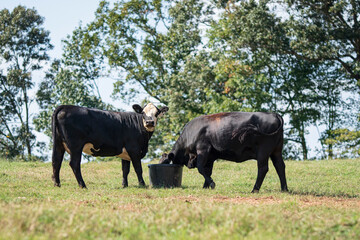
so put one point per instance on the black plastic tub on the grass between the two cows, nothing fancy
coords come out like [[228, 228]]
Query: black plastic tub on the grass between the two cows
[[165, 175]]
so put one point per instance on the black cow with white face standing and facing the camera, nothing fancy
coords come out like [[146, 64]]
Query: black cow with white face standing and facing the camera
[[102, 133]]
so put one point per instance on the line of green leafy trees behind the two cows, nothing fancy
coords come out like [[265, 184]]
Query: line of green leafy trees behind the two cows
[[295, 57]]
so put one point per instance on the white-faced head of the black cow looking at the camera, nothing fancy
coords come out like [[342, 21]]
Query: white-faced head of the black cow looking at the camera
[[150, 115]]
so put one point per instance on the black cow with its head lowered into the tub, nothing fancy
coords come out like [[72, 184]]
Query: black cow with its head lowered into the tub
[[233, 136]]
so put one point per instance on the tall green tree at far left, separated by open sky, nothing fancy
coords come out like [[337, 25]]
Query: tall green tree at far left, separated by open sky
[[23, 48]]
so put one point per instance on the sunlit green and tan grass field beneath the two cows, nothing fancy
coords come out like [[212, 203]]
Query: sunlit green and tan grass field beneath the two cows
[[323, 203]]
